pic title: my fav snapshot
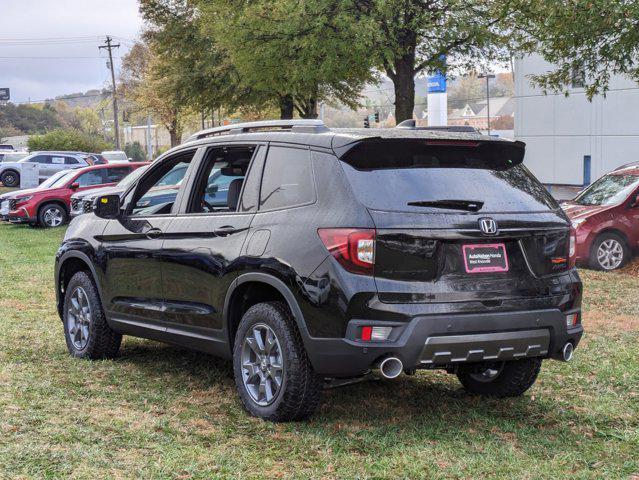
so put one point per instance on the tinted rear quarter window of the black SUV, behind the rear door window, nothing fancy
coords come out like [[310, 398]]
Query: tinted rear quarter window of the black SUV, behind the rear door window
[[287, 180]]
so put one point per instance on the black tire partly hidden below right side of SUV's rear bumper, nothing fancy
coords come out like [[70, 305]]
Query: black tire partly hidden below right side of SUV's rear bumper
[[512, 380]]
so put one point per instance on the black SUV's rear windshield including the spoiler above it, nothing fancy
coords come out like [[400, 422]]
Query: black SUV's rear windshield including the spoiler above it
[[444, 178]]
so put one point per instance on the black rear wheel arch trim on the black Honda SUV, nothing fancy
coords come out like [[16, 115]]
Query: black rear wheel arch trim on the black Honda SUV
[[252, 288]]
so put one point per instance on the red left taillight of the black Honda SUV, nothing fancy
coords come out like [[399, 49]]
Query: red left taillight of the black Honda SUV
[[353, 248]]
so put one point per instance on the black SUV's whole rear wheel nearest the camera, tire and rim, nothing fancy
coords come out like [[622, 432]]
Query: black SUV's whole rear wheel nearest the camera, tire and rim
[[273, 374]]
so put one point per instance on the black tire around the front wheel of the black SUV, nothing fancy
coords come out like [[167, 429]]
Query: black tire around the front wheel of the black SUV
[[103, 342]]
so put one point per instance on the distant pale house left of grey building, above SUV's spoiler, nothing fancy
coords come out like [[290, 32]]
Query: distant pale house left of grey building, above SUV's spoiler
[[475, 114]]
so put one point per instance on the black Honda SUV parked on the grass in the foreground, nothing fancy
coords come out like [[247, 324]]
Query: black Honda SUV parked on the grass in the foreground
[[336, 252]]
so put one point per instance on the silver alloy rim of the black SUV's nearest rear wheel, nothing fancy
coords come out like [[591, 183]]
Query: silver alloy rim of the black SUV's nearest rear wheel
[[262, 364]]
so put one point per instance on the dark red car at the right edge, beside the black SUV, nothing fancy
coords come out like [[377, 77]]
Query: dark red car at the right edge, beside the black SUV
[[606, 219]]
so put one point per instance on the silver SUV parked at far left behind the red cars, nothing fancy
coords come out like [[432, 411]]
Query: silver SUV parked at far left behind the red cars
[[49, 163]]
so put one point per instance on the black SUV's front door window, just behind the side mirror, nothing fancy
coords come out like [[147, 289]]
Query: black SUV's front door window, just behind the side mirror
[[157, 191]]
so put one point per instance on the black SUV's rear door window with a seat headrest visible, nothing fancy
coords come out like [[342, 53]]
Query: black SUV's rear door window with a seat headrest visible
[[219, 182]]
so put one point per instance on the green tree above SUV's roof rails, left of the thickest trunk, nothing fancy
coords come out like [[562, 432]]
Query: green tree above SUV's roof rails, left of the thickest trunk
[[295, 53]]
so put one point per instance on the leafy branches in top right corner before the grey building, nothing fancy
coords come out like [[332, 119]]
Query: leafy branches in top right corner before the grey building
[[588, 40]]
